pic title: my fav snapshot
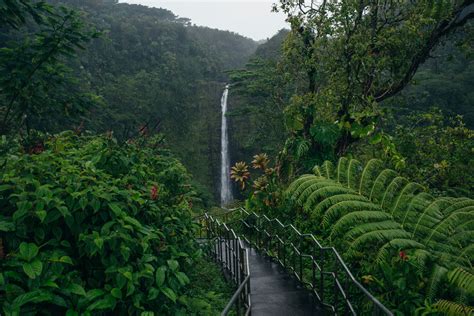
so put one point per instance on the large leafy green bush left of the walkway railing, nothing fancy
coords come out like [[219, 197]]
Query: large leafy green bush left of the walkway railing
[[89, 226]]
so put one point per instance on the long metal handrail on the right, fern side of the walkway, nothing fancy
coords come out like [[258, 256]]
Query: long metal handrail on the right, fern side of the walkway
[[328, 278]]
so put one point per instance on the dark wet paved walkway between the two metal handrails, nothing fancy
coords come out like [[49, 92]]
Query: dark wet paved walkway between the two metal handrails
[[274, 292]]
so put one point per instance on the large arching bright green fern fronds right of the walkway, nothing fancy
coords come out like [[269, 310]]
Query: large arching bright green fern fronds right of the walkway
[[373, 209]]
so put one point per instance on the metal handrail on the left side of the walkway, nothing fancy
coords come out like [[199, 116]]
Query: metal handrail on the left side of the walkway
[[229, 251]]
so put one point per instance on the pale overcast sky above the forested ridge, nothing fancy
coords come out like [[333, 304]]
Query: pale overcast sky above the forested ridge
[[251, 18]]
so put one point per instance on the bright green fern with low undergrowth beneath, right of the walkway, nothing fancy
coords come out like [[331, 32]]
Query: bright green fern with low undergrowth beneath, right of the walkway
[[402, 238]]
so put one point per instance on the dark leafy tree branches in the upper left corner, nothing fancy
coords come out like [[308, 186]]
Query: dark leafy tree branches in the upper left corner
[[33, 71]]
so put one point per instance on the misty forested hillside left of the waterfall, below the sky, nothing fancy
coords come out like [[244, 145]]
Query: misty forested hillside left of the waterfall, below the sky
[[153, 67]]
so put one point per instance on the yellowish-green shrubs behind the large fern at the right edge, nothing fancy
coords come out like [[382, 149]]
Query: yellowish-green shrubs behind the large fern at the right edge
[[437, 150]]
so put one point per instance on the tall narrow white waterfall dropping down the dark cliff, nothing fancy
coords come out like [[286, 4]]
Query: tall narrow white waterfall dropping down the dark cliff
[[226, 193]]
